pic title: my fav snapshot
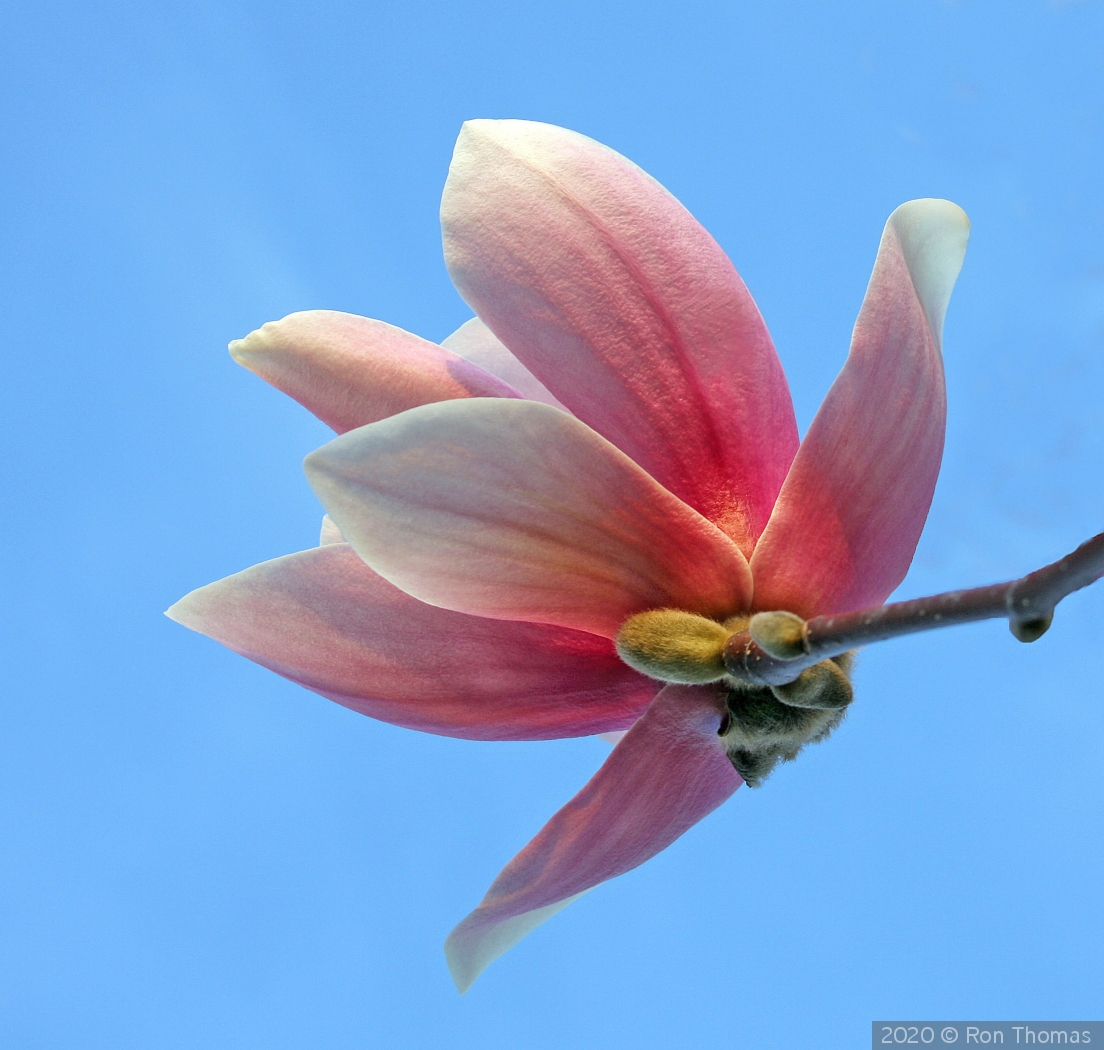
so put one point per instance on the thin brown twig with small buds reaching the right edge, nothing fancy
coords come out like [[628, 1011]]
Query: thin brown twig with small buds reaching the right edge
[[779, 646]]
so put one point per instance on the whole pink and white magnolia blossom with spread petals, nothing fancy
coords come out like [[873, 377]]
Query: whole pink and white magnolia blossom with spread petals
[[609, 444]]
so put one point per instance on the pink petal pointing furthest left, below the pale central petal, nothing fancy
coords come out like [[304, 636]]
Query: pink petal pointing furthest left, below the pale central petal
[[326, 621]]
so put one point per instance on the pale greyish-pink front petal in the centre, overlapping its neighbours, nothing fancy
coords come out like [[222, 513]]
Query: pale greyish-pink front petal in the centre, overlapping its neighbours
[[516, 511]]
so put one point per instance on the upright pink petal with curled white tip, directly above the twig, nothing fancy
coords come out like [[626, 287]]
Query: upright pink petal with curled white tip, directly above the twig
[[851, 514]]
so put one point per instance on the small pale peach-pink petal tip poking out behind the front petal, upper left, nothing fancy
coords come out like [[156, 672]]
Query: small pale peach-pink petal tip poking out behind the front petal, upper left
[[353, 370]]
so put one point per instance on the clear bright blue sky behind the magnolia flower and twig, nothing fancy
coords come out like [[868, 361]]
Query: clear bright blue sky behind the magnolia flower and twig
[[197, 854]]
